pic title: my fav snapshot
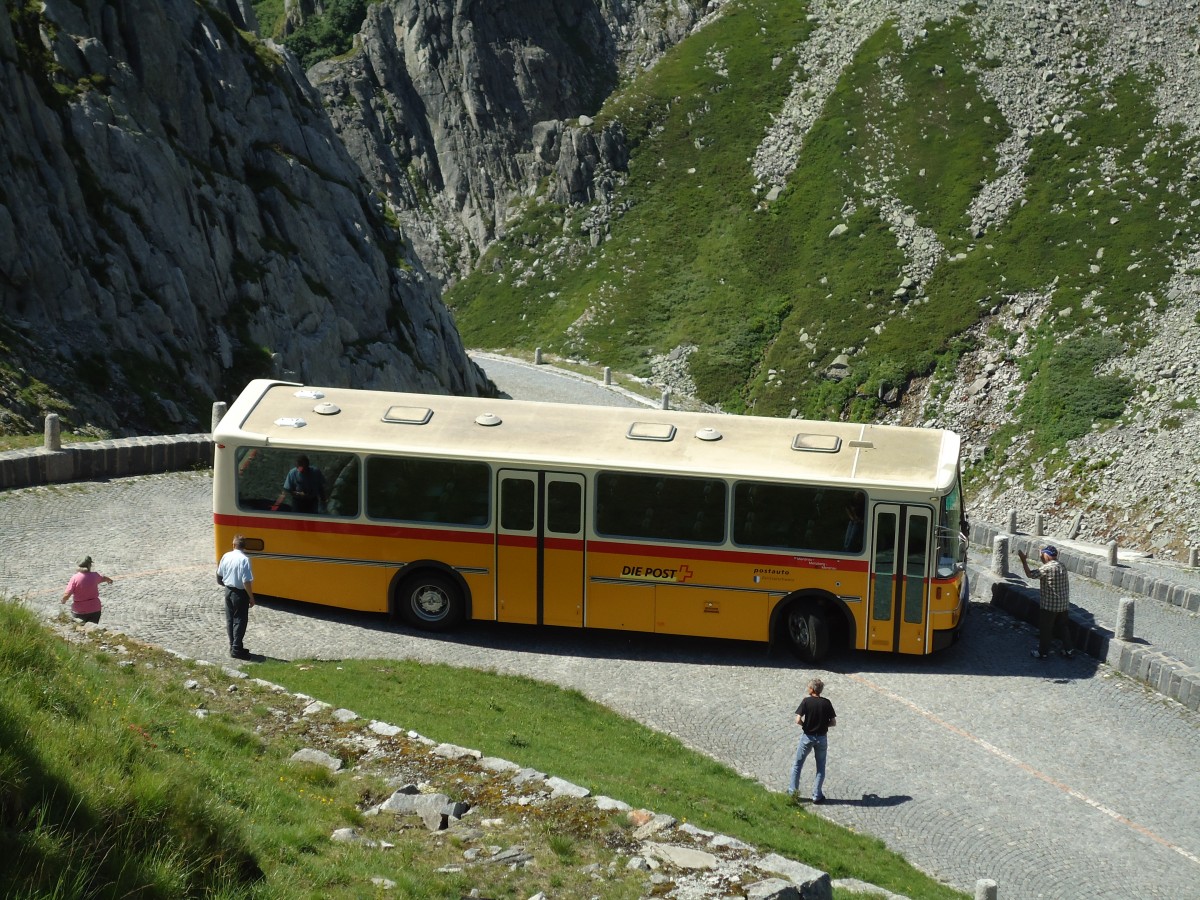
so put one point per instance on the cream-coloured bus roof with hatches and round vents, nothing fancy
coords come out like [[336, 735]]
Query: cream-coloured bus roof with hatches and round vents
[[553, 435]]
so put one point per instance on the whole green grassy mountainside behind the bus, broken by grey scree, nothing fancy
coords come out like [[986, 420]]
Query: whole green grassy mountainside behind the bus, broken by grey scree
[[699, 259]]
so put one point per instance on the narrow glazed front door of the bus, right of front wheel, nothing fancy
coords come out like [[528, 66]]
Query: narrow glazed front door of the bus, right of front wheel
[[899, 599]]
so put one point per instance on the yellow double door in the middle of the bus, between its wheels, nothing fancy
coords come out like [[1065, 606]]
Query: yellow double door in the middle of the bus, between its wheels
[[539, 548]]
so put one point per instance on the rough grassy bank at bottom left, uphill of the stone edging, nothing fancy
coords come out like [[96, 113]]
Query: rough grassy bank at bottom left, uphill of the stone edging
[[125, 772]]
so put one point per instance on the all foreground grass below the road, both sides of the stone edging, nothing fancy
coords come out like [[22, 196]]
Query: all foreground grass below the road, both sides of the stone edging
[[112, 785]]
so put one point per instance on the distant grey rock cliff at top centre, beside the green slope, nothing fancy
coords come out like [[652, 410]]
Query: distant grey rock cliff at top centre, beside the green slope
[[458, 111]]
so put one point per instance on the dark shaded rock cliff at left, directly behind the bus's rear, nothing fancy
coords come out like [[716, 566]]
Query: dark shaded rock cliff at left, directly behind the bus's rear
[[177, 215]]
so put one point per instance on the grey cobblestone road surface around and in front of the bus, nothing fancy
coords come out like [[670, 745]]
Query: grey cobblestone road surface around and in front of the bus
[[1058, 779]]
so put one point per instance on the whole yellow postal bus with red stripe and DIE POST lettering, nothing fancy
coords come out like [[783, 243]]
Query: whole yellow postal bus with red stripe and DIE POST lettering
[[445, 509]]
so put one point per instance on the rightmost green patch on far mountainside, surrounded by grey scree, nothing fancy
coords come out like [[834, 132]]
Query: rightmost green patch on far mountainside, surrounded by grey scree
[[1108, 208]]
